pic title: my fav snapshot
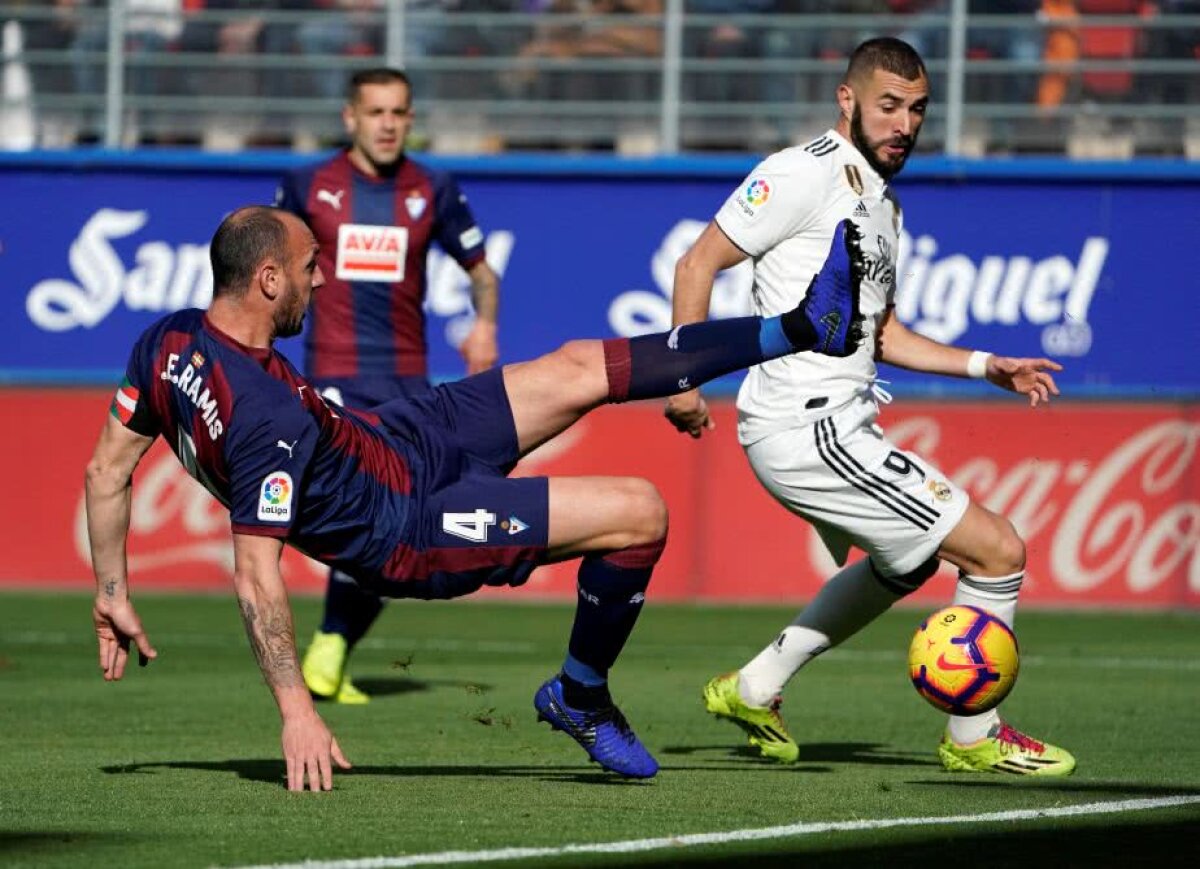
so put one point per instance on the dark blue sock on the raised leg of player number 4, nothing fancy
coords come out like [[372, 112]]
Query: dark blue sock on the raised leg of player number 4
[[663, 364]]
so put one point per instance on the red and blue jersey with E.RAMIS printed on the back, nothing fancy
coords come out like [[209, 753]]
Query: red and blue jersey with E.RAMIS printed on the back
[[332, 482]]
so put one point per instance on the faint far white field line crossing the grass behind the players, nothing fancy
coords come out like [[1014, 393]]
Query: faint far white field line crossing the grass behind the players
[[33, 638]]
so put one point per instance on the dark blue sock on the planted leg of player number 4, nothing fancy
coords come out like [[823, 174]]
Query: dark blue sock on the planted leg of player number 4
[[613, 590]]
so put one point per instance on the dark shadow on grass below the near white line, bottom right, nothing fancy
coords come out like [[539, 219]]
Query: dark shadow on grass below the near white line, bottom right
[[1107, 844]]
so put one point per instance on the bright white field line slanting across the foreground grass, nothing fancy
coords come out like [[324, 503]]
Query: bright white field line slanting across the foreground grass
[[734, 836]]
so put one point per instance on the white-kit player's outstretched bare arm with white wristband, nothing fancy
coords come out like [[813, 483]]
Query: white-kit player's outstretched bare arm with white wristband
[[903, 347]]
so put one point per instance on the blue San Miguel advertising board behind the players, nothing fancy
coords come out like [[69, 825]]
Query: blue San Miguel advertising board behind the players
[[1084, 272]]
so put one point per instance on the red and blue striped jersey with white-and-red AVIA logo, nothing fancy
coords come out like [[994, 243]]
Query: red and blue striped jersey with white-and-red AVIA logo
[[375, 237]]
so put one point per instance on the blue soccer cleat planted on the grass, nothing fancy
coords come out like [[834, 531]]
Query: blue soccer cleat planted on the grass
[[603, 733]]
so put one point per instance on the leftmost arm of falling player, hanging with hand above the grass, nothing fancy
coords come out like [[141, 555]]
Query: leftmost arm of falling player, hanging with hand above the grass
[[107, 490]]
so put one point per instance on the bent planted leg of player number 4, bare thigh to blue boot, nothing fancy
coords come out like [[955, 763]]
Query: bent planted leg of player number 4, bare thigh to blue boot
[[619, 526]]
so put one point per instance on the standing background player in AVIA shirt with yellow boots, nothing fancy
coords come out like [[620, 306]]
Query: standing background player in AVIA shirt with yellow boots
[[375, 214]]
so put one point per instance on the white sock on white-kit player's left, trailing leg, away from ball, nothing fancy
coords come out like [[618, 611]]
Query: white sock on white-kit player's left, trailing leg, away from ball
[[851, 600]]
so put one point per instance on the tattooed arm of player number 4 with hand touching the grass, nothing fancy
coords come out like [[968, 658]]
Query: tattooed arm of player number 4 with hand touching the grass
[[310, 750]]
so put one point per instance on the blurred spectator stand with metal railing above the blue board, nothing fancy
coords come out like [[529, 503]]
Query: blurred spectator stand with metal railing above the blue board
[[127, 73]]
